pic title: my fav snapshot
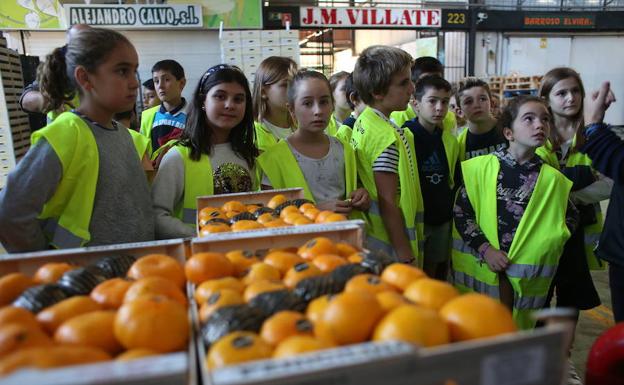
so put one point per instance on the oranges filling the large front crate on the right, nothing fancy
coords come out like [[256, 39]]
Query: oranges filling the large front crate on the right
[[401, 304]]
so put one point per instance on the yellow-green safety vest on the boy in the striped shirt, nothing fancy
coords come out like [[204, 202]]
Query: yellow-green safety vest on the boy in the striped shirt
[[371, 136]]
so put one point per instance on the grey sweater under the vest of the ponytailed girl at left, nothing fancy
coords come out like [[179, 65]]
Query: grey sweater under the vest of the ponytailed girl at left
[[122, 209]]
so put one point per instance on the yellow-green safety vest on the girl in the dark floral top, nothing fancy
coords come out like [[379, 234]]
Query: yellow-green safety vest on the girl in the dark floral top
[[537, 244]]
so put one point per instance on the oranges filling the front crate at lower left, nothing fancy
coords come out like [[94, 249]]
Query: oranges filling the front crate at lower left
[[142, 314]]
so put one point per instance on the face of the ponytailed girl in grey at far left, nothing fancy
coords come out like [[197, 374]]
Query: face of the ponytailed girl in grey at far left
[[114, 85]]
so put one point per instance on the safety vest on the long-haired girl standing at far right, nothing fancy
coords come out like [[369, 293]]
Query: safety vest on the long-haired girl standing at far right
[[591, 233]]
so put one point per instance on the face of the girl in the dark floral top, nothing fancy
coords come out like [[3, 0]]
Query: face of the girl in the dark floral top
[[531, 127]]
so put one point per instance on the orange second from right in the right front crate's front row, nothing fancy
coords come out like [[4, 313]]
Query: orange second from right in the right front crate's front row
[[415, 324]]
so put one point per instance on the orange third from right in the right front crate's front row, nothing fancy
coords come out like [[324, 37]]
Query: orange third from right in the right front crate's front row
[[351, 317]]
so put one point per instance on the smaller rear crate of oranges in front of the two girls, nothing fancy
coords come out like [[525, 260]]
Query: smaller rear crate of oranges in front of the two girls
[[267, 209]]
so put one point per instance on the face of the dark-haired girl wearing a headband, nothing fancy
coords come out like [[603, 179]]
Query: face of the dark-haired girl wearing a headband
[[225, 106]]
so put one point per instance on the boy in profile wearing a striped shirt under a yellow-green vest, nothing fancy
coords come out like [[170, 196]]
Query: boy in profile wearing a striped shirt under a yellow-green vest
[[385, 153]]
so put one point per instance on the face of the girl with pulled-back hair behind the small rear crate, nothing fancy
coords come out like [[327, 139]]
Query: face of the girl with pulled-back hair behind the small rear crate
[[313, 105]]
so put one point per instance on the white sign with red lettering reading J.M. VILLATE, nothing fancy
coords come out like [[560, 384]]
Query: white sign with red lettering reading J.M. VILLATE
[[370, 17]]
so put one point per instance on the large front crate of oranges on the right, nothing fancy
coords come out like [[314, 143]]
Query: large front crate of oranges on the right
[[311, 305]]
